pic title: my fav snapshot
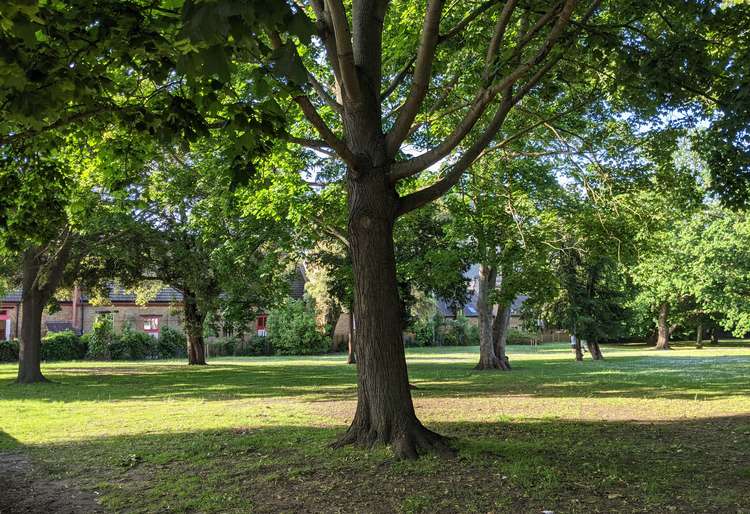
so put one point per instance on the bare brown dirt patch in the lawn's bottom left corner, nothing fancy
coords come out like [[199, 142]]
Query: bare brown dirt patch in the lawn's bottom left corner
[[24, 491]]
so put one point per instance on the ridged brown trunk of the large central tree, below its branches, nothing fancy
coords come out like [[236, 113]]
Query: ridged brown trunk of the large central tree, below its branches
[[385, 412]]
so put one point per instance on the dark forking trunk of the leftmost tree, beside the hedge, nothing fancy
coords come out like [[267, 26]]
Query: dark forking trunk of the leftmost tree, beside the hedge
[[37, 290]]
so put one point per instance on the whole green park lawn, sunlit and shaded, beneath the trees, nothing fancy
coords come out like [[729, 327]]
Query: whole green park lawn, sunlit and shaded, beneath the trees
[[642, 431]]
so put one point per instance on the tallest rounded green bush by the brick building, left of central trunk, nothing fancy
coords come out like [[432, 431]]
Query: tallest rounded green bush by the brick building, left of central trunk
[[293, 330]]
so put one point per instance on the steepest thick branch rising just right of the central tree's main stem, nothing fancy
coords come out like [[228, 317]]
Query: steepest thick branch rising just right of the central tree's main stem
[[421, 80]]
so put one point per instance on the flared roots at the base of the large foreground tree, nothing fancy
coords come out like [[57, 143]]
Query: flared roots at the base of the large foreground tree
[[407, 443]]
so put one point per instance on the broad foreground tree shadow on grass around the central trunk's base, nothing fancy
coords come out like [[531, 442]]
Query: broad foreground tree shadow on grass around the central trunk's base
[[520, 466]]
